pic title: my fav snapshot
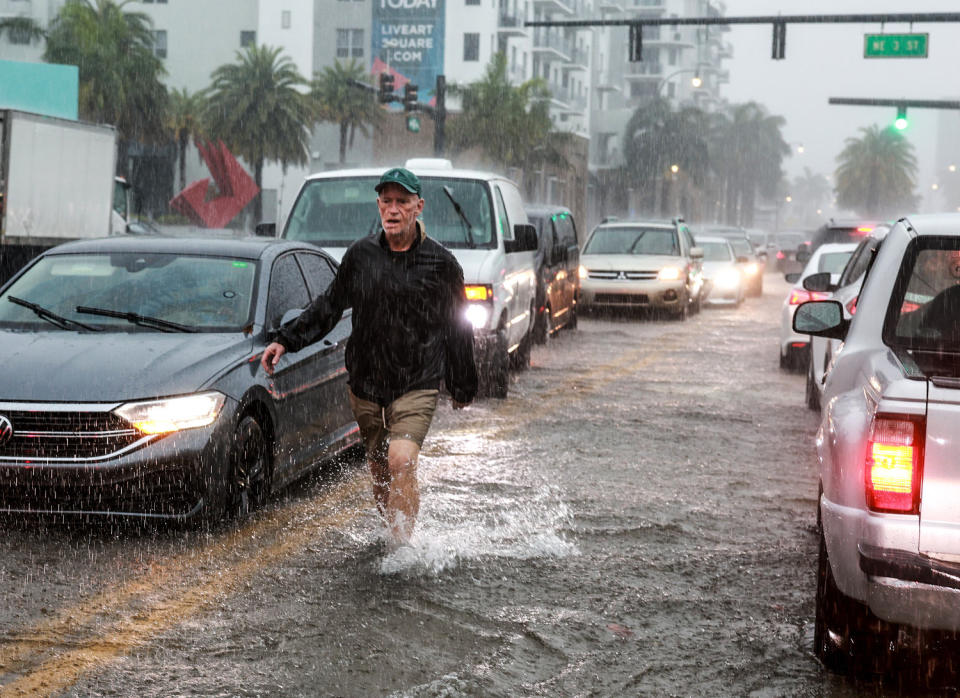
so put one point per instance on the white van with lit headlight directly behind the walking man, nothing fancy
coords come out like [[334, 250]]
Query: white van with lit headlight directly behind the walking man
[[479, 216]]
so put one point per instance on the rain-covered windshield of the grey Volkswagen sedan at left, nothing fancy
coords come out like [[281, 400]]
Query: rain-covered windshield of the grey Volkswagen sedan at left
[[208, 294]]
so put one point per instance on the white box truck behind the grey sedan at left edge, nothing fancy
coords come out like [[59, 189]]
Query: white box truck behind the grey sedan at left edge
[[56, 184]]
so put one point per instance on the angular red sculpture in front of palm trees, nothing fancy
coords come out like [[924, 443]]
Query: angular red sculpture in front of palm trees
[[236, 189]]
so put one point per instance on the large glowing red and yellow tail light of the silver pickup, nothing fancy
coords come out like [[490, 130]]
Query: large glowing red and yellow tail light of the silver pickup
[[894, 464]]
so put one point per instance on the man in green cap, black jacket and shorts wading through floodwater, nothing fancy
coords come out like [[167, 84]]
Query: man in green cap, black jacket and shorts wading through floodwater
[[409, 335]]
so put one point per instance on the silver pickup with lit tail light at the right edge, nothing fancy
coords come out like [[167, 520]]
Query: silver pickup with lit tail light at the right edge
[[889, 450]]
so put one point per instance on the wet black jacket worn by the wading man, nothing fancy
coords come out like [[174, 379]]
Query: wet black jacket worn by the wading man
[[409, 329]]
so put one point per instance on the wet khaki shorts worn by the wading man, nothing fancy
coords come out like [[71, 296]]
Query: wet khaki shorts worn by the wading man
[[408, 417]]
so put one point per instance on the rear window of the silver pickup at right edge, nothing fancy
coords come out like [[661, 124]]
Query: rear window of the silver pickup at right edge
[[924, 312]]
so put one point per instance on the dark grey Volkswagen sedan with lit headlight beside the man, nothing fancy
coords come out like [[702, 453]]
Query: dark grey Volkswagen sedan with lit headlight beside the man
[[132, 384]]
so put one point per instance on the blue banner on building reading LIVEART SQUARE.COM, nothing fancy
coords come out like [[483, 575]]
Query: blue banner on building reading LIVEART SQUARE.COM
[[408, 41]]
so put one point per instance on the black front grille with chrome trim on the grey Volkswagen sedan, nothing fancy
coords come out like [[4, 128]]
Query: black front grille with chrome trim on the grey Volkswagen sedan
[[50, 433]]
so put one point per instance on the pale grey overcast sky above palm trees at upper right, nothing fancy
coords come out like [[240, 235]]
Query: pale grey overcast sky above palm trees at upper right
[[824, 60]]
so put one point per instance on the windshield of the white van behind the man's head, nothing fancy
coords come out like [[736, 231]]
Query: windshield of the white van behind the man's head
[[336, 212]]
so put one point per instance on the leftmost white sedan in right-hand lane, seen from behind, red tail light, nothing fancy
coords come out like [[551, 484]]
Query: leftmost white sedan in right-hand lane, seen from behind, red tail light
[[832, 257]]
